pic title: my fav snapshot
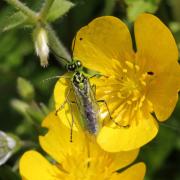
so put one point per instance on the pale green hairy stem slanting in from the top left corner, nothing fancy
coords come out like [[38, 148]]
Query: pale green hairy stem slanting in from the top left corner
[[22, 7]]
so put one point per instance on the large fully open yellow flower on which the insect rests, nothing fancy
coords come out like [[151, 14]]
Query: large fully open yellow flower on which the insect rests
[[134, 84]]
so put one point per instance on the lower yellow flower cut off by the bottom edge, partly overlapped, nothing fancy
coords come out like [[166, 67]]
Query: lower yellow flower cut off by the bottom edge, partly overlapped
[[81, 159]]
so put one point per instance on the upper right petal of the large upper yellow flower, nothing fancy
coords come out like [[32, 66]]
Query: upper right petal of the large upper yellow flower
[[155, 43]]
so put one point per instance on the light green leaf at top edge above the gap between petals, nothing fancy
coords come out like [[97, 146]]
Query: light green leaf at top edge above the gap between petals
[[136, 7]]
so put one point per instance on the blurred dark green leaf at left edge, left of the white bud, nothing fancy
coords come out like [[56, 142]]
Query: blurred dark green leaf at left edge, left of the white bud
[[14, 46]]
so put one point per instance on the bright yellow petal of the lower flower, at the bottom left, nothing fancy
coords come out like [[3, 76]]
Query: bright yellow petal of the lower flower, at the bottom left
[[33, 166]]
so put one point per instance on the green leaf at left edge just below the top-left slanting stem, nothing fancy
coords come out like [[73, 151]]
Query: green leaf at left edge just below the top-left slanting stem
[[13, 21]]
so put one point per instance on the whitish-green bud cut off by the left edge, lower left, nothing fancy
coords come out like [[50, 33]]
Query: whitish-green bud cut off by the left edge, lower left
[[7, 146]]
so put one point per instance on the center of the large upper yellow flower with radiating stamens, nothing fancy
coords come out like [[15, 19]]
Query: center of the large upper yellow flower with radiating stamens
[[128, 90]]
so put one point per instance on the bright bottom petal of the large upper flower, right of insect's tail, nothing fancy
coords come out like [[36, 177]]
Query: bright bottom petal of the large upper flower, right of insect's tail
[[125, 139]]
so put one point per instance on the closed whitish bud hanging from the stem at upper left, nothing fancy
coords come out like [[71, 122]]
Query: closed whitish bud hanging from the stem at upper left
[[41, 45]]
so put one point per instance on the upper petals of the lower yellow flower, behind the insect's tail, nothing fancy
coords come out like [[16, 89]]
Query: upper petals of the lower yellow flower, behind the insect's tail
[[56, 143]]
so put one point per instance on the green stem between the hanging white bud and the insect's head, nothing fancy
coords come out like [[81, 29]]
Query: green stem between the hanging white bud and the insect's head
[[56, 45]]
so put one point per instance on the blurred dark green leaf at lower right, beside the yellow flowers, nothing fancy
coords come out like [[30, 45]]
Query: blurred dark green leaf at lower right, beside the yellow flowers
[[156, 152]]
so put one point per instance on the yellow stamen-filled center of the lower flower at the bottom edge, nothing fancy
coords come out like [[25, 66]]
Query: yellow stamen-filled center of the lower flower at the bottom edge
[[87, 167]]
